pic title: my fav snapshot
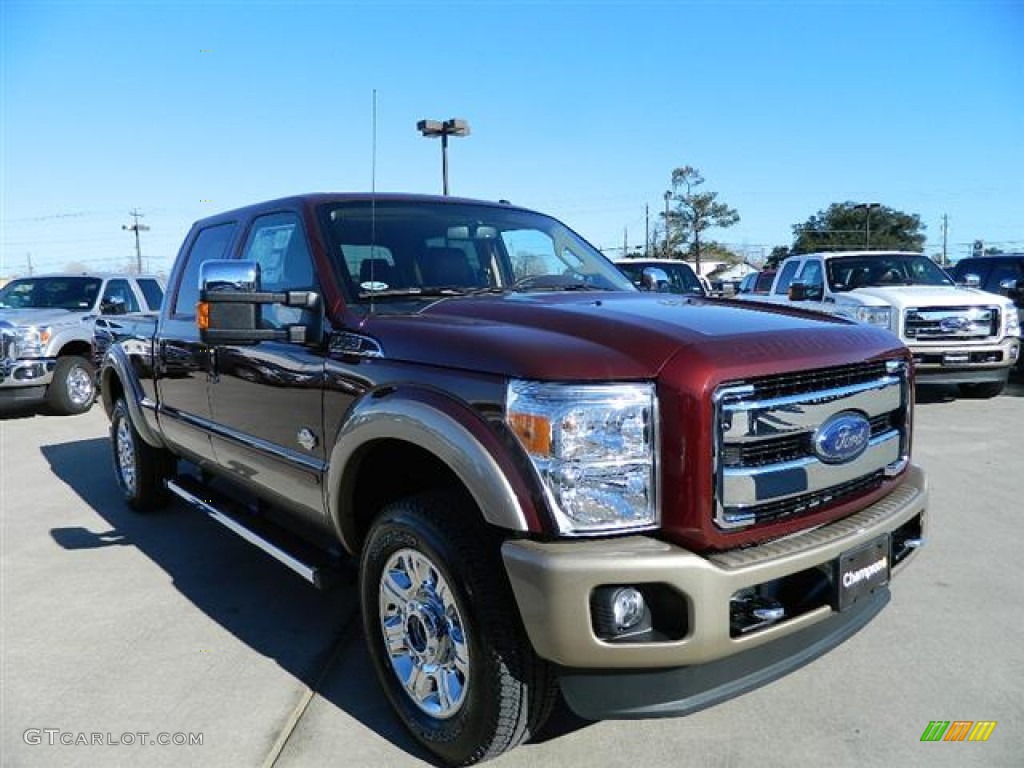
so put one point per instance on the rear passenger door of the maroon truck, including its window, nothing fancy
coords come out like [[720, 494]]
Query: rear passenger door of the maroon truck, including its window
[[183, 362]]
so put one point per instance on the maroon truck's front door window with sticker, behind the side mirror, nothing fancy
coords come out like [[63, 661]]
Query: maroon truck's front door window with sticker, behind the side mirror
[[278, 244]]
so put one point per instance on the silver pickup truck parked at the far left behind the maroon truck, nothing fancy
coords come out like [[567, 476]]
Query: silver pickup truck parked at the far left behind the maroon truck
[[47, 324]]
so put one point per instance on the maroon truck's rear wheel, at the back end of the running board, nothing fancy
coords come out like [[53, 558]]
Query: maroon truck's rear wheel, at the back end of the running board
[[141, 470]]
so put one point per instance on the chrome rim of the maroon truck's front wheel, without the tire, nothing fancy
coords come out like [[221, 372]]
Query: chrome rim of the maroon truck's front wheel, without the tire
[[424, 633]]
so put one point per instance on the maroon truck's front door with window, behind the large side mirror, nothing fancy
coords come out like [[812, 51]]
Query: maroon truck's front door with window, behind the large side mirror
[[268, 399]]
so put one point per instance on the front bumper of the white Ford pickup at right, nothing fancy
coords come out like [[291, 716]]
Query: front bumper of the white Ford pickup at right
[[963, 365]]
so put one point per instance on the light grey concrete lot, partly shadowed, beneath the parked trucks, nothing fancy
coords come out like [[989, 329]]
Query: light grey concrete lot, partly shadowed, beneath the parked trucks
[[120, 625]]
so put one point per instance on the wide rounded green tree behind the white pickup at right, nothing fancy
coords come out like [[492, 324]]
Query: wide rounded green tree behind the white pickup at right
[[847, 227]]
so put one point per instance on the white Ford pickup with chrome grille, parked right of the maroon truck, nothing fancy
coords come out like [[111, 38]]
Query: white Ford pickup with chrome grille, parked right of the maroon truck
[[958, 335]]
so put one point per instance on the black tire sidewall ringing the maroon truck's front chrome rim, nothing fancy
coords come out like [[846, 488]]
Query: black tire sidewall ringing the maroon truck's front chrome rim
[[453, 739]]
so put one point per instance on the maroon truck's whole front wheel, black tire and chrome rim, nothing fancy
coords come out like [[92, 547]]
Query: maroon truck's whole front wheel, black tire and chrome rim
[[443, 632]]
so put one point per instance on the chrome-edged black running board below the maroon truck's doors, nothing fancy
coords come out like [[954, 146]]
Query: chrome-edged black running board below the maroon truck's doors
[[317, 567]]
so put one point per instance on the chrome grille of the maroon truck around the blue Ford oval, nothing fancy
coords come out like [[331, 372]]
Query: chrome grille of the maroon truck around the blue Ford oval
[[766, 466]]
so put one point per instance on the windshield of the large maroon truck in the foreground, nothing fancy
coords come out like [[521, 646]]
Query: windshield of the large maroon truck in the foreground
[[413, 250]]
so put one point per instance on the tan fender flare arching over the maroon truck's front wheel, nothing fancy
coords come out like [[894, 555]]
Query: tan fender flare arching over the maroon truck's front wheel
[[505, 490]]
